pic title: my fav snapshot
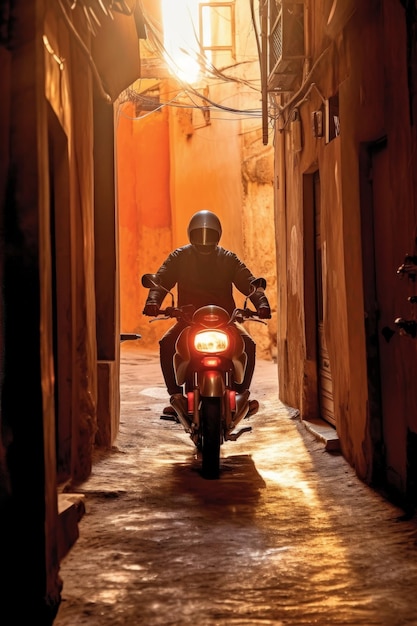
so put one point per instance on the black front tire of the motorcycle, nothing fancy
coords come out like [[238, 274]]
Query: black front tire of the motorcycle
[[211, 433]]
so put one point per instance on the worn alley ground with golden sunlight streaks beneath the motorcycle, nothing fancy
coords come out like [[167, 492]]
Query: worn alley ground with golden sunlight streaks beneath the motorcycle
[[287, 536]]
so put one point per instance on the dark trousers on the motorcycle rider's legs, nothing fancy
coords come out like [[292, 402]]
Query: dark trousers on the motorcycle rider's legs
[[167, 351]]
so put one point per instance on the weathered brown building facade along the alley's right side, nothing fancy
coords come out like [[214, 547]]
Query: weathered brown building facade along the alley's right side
[[341, 82]]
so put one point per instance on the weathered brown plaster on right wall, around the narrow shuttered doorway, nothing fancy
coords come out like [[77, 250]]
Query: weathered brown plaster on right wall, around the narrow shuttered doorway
[[341, 257]]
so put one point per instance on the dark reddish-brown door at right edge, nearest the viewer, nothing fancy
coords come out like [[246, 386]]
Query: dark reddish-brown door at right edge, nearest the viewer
[[391, 363]]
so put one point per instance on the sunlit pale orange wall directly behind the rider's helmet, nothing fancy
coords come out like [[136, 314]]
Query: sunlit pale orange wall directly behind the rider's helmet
[[206, 170]]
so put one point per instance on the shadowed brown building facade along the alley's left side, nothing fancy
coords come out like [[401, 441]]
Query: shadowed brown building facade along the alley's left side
[[62, 69]]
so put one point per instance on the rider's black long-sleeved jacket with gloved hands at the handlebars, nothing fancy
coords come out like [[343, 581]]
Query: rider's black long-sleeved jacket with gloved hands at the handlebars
[[204, 279]]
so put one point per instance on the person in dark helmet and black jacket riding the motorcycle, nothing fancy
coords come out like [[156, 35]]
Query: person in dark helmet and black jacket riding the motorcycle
[[204, 274]]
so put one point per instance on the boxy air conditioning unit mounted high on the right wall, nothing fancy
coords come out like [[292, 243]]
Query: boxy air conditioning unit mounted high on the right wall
[[286, 45]]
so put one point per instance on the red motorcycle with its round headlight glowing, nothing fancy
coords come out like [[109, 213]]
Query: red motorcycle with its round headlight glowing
[[209, 360]]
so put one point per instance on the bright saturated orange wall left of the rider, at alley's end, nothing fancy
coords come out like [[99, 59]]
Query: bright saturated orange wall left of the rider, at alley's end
[[144, 204]]
